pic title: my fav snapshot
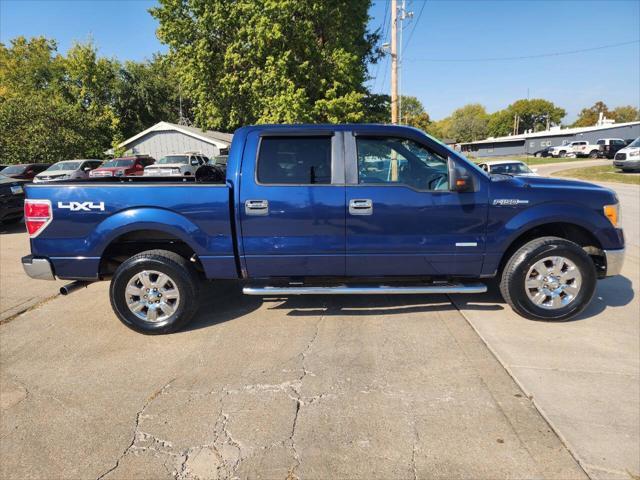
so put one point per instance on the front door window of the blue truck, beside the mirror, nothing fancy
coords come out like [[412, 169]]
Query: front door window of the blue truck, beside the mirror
[[400, 161]]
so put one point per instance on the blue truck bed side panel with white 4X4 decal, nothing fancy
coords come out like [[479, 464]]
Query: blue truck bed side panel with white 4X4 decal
[[91, 216]]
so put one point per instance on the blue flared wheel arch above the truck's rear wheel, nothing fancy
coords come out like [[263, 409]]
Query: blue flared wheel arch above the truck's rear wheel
[[146, 218]]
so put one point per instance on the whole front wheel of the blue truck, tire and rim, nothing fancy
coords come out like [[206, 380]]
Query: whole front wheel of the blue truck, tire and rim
[[549, 278]]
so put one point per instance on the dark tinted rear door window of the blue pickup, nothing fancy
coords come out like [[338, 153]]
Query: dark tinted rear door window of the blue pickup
[[295, 160]]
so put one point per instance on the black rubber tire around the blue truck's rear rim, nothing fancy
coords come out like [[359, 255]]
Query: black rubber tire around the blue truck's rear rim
[[183, 277]]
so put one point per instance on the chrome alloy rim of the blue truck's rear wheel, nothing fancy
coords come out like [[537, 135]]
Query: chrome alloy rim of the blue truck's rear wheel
[[152, 296]]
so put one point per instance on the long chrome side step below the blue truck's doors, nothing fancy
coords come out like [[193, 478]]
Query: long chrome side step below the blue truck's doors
[[366, 289]]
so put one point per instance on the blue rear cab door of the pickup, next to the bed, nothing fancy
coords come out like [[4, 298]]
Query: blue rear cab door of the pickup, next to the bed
[[292, 201]]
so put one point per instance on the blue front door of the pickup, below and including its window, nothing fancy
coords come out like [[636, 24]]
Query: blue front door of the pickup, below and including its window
[[402, 217]]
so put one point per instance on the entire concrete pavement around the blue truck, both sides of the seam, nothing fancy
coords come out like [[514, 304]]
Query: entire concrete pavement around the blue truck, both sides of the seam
[[313, 387]]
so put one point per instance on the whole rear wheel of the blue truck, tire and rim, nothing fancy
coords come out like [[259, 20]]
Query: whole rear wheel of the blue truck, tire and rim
[[155, 292]]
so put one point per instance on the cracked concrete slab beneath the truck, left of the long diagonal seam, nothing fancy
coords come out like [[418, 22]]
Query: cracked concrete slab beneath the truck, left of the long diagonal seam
[[313, 387]]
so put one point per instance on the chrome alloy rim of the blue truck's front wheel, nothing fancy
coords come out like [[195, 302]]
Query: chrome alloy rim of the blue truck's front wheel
[[553, 282]]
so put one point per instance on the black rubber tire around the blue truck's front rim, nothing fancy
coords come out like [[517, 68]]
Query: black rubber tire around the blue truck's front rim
[[512, 283]]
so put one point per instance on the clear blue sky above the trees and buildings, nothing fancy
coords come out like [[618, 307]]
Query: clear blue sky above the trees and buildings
[[453, 51]]
